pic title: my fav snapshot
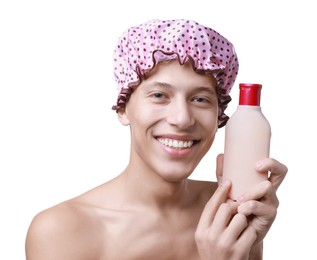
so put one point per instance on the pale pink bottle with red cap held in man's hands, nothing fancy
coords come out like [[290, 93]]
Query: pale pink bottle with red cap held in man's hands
[[247, 140]]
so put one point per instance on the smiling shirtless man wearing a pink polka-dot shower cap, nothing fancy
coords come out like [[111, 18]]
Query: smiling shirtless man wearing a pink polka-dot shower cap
[[174, 79]]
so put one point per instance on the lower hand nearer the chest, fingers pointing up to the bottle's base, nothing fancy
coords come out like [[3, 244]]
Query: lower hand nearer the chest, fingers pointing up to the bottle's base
[[223, 232]]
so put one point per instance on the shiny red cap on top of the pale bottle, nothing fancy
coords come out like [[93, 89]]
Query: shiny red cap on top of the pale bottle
[[250, 94]]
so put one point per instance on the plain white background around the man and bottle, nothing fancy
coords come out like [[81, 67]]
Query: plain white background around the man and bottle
[[59, 136]]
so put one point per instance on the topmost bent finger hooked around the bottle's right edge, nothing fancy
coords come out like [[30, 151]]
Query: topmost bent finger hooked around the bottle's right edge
[[277, 170]]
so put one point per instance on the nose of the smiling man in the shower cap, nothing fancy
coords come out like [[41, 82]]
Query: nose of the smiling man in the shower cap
[[180, 114]]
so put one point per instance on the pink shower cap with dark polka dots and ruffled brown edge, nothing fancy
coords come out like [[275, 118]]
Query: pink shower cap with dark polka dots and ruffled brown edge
[[141, 47]]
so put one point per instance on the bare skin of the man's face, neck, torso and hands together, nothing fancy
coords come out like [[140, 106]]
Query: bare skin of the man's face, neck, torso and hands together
[[152, 210]]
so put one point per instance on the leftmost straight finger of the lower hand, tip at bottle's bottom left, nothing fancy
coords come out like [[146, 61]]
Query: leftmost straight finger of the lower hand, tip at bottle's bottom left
[[213, 205]]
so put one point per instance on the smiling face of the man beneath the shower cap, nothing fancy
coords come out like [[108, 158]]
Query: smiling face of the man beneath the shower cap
[[173, 117]]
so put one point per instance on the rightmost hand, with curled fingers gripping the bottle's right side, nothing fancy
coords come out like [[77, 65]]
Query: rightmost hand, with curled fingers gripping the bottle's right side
[[260, 203]]
